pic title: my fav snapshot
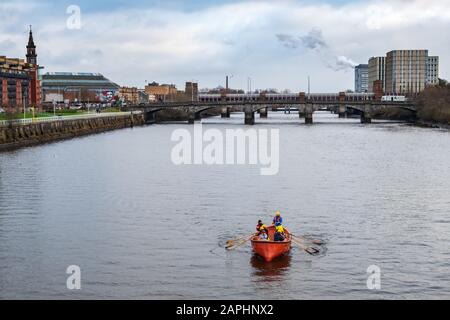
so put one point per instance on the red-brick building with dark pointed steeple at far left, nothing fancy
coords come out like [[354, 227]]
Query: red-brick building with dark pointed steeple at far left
[[19, 81]]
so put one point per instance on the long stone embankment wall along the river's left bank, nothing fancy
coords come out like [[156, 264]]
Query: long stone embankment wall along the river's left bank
[[18, 136]]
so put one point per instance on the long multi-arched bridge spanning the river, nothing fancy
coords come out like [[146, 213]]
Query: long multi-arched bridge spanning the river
[[306, 104]]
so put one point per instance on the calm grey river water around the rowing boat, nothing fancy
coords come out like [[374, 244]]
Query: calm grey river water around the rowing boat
[[140, 227]]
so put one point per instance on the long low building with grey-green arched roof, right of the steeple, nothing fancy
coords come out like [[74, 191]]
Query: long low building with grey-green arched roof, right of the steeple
[[78, 87]]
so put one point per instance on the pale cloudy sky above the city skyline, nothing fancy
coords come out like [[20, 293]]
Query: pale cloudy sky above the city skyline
[[276, 43]]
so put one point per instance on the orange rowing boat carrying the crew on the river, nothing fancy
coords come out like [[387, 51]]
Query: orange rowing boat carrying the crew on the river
[[271, 250]]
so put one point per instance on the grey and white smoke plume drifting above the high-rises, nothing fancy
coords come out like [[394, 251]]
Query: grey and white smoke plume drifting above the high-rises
[[314, 41]]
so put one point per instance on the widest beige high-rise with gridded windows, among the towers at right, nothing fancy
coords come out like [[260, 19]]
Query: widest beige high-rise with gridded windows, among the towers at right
[[406, 71]]
